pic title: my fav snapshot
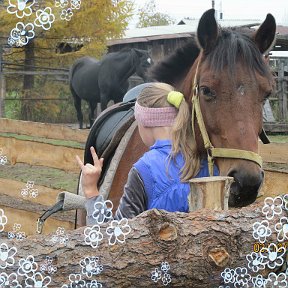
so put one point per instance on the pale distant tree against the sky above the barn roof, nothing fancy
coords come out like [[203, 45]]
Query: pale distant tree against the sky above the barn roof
[[149, 16]]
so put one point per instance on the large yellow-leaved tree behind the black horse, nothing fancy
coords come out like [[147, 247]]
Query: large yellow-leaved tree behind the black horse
[[90, 27]]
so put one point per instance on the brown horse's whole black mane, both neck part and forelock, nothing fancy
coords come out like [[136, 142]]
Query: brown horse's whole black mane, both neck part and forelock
[[233, 44]]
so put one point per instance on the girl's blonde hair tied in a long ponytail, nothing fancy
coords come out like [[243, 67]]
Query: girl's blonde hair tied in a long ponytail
[[155, 96]]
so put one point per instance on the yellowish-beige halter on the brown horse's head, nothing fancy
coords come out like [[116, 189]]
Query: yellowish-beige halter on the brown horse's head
[[213, 152]]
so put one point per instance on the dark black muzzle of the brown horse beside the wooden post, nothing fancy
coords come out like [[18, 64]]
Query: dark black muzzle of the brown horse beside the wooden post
[[245, 188]]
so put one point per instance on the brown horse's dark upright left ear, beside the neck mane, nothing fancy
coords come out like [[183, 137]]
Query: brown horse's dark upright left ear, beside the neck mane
[[207, 31]]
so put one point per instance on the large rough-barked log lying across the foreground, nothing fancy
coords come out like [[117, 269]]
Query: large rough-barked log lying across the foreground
[[198, 246]]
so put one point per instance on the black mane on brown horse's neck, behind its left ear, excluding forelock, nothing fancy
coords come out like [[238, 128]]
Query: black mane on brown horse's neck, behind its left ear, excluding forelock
[[174, 67]]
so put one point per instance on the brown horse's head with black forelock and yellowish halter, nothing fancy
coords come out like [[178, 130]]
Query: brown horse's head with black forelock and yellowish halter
[[231, 81]]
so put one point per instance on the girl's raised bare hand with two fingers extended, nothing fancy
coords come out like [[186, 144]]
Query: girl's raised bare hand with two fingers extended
[[91, 174]]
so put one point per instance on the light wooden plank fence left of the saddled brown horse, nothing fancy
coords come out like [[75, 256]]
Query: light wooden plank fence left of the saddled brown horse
[[36, 152]]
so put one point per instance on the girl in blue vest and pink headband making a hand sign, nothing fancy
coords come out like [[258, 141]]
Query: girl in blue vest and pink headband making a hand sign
[[159, 179]]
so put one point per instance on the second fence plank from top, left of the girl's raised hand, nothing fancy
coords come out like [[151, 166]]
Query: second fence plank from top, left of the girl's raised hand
[[36, 153]]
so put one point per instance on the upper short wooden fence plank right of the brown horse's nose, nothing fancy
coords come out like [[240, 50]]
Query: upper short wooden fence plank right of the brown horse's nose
[[274, 152]]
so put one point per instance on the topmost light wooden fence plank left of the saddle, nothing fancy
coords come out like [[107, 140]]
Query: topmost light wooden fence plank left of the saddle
[[45, 130]]
